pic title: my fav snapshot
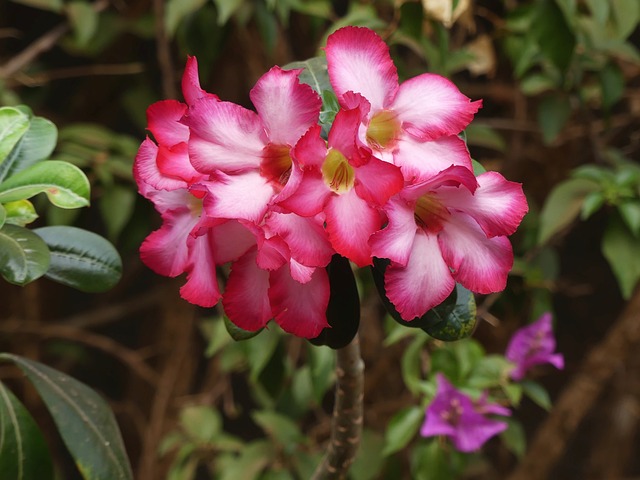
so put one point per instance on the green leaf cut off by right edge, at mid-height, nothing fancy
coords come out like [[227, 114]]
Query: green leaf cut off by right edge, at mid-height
[[622, 251]]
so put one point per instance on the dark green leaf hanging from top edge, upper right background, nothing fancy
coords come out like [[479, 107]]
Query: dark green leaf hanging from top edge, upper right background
[[553, 34]]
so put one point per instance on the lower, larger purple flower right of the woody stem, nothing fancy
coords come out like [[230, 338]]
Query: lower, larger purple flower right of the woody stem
[[455, 415]]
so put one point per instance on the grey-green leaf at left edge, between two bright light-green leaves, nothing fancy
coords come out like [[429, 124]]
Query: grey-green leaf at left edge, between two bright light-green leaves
[[35, 145]]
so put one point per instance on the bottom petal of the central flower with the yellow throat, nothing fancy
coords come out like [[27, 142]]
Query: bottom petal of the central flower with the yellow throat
[[350, 223]]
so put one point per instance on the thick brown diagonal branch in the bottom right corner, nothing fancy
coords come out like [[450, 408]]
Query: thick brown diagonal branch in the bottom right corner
[[578, 398]]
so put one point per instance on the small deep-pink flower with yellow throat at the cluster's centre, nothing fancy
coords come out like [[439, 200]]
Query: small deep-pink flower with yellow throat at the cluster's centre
[[345, 182]]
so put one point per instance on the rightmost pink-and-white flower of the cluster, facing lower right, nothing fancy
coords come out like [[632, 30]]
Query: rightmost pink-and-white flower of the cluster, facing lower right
[[447, 229]]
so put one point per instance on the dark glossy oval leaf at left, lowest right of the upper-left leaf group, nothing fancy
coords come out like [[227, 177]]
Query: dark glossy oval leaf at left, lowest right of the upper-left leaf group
[[81, 259]]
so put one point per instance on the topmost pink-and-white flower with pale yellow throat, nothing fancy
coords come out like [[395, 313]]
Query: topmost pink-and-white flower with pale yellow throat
[[413, 124]]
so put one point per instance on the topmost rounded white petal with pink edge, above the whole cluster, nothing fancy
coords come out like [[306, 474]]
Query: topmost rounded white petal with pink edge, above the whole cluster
[[358, 61]]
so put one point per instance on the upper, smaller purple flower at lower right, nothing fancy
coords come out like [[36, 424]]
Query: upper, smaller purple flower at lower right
[[533, 345]]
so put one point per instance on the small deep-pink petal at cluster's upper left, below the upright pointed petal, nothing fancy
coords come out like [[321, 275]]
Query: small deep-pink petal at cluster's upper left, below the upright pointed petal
[[163, 121]]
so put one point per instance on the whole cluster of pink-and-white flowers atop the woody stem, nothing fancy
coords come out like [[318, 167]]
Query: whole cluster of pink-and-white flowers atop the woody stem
[[264, 191]]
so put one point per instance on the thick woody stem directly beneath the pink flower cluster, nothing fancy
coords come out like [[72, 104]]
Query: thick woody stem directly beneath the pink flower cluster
[[346, 426]]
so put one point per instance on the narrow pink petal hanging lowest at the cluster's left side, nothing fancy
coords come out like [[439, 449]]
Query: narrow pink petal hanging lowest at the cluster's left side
[[201, 287]]
